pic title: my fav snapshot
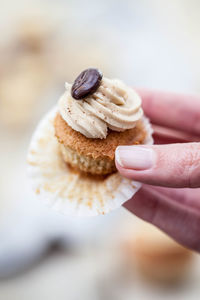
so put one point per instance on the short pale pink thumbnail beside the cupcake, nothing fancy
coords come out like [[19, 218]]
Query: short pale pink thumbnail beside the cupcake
[[135, 157]]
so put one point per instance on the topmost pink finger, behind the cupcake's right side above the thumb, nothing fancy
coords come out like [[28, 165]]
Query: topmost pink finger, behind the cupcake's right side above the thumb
[[172, 110]]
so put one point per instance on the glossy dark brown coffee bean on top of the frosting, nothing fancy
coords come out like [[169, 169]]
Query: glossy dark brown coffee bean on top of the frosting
[[86, 83]]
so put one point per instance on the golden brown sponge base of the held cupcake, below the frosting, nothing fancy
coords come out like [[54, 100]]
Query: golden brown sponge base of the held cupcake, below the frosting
[[95, 156]]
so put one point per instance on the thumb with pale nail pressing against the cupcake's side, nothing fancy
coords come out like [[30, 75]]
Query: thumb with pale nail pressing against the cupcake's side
[[174, 165]]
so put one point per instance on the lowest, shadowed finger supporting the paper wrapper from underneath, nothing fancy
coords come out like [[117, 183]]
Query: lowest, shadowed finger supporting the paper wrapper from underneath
[[180, 222]]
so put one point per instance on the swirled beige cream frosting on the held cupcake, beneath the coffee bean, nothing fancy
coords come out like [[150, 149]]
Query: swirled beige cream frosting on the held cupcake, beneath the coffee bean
[[113, 106]]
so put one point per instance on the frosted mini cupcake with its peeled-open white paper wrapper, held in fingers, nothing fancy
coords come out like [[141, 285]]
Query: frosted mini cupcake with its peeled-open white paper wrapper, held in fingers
[[72, 152]]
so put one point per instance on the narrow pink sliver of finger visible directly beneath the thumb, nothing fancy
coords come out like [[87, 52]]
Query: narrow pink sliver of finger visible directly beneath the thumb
[[185, 196]]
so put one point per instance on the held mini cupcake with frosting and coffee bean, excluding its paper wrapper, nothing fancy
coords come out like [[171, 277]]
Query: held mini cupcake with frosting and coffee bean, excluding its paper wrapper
[[95, 116]]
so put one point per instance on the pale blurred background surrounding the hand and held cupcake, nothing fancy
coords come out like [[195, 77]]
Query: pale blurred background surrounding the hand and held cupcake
[[44, 255]]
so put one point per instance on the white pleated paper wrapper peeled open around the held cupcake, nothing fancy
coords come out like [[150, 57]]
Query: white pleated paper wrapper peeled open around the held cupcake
[[68, 192]]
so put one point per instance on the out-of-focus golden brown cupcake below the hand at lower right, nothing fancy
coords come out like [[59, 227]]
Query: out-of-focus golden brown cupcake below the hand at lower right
[[157, 257]]
